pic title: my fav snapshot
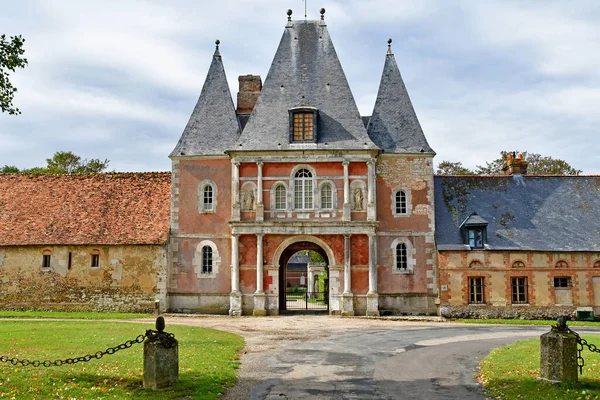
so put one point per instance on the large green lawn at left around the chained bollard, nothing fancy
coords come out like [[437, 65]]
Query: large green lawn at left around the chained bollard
[[207, 361]]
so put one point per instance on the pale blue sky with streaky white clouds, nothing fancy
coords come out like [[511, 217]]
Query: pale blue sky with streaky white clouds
[[118, 80]]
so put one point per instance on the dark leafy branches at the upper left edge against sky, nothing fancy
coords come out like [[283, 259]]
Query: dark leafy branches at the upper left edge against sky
[[11, 57]]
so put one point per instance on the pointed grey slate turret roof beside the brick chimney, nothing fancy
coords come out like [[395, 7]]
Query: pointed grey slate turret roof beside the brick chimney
[[213, 126]]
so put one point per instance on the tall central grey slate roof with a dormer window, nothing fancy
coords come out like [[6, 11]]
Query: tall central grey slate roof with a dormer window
[[305, 64]]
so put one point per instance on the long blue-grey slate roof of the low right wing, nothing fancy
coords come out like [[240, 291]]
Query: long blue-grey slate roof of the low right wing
[[545, 213]]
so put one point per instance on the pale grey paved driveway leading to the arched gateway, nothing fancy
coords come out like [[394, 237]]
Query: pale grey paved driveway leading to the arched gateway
[[329, 358]]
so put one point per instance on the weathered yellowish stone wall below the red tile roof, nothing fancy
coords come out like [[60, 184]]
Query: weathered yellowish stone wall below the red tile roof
[[128, 278]]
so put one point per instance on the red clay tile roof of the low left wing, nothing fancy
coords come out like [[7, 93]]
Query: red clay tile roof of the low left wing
[[111, 208]]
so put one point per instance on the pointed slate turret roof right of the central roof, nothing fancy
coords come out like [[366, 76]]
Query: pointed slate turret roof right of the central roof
[[394, 125]]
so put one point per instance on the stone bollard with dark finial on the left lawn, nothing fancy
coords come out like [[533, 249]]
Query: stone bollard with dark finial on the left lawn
[[161, 358]]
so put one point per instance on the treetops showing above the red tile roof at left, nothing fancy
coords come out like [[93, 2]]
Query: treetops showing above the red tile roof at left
[[62, 162]]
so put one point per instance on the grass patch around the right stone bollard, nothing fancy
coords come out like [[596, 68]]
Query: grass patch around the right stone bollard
[[510, 373]]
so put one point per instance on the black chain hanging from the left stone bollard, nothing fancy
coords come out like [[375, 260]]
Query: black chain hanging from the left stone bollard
[[166, 339]]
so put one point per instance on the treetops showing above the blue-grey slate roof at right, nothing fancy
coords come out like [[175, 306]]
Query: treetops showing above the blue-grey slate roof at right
[[537, 165]]
